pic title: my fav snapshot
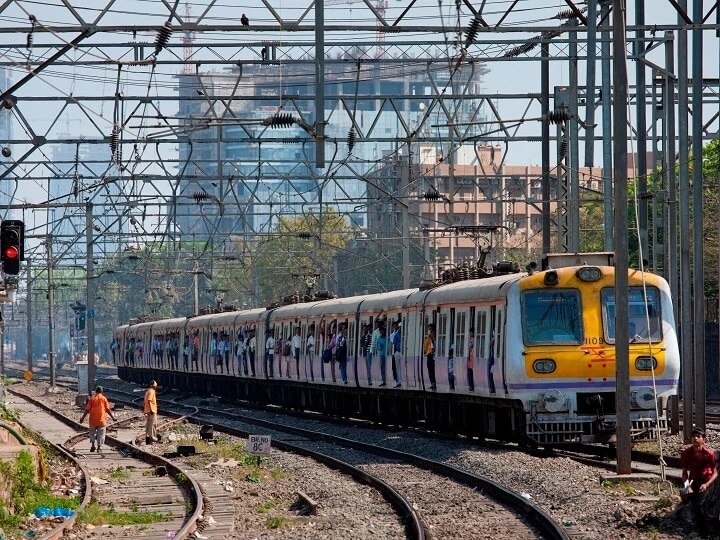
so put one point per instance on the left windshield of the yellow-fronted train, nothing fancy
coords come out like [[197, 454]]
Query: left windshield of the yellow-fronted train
[[552, 317]]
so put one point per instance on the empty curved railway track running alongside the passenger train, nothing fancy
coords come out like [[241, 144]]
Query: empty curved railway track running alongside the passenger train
[[402, 477]]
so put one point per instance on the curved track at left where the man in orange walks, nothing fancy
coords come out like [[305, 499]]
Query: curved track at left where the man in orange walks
[[124, 478]]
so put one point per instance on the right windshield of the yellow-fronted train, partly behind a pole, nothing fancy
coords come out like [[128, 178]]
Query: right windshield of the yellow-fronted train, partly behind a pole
[[644, 323]]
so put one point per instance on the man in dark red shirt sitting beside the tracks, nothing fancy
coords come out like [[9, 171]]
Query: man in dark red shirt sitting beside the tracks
[[699, 470]]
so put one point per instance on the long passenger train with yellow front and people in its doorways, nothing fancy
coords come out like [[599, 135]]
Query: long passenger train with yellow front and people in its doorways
[[527, 356]]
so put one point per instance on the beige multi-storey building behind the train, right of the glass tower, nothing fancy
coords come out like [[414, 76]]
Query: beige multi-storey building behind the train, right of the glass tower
[[447, 204]]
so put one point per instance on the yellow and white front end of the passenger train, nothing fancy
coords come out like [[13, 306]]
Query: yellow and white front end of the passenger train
[[565, 338]]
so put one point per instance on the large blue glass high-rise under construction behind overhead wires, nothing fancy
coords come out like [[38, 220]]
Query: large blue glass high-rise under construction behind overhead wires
[[240, 170]]
